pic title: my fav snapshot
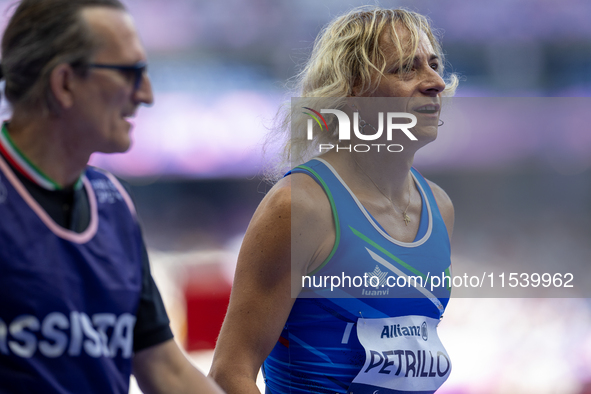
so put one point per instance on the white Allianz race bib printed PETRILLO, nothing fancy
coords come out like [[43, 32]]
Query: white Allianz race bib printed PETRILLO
[[402, 354]]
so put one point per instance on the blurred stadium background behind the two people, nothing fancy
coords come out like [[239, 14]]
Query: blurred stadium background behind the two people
[[219, 70]]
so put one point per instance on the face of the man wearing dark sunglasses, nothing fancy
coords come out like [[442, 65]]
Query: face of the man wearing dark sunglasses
[[106, 98]]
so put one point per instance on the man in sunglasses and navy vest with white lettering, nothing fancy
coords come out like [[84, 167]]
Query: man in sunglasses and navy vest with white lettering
[[79, 310]]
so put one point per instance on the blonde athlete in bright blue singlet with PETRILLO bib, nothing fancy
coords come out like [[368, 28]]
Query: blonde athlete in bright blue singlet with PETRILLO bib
[[353, 214]]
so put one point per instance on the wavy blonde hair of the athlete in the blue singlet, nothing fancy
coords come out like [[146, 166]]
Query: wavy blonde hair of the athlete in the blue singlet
[[346, 55]]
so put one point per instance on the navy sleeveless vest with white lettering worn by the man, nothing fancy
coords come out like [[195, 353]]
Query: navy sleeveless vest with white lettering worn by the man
[[68, 300]]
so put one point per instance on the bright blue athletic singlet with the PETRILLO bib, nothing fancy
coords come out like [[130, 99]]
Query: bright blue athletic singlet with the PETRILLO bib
[[319, 350]]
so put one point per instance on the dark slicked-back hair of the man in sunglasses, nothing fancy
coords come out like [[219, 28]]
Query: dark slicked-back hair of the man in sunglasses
[[40, 35]]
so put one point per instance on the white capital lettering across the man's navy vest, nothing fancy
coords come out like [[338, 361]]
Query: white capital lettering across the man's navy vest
[[57, 335]]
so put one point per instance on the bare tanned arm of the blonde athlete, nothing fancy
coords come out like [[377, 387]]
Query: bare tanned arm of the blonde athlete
[[261, 297]]
